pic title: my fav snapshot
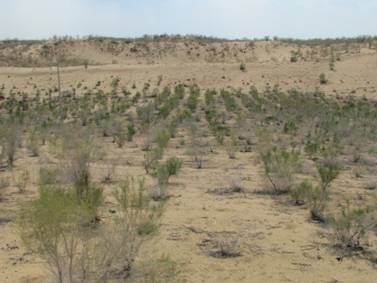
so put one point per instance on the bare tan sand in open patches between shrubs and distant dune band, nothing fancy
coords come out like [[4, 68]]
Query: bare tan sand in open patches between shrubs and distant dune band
[[278, 242]]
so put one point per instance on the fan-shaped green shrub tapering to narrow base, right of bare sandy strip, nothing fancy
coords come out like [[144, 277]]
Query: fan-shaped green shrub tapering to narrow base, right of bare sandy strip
[[279, 167]]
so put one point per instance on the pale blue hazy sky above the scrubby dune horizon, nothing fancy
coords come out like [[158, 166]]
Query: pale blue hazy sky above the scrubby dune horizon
[[28, 19]]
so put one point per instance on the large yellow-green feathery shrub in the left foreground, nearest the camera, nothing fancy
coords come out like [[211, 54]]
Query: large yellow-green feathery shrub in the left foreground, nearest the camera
[[48, 227]]
